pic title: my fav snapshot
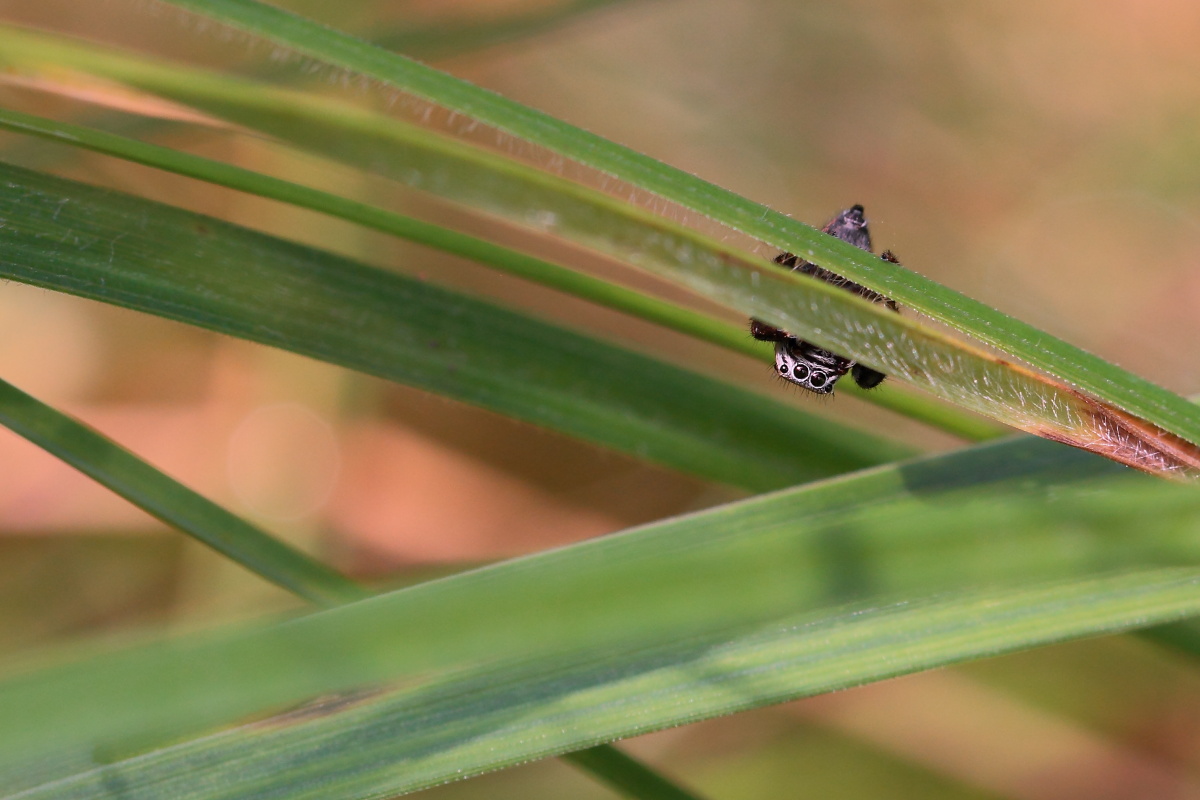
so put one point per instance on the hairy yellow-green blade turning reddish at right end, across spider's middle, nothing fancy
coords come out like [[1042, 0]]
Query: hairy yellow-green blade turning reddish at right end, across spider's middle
[[807, 308]]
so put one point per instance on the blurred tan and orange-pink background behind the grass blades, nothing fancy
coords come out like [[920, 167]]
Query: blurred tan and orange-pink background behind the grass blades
[[1043, 159]]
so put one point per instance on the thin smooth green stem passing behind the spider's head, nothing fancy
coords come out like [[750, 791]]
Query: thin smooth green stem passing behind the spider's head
[[675, 317]]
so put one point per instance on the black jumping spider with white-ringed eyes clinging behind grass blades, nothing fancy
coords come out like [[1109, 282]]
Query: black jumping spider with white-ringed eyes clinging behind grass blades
[[802, 363]]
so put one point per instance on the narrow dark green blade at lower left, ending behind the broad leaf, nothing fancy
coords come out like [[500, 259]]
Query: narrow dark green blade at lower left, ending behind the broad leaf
[[146, 488]]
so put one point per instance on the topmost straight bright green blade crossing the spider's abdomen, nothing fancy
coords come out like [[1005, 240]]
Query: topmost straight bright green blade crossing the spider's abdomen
[[1079, 369]]
